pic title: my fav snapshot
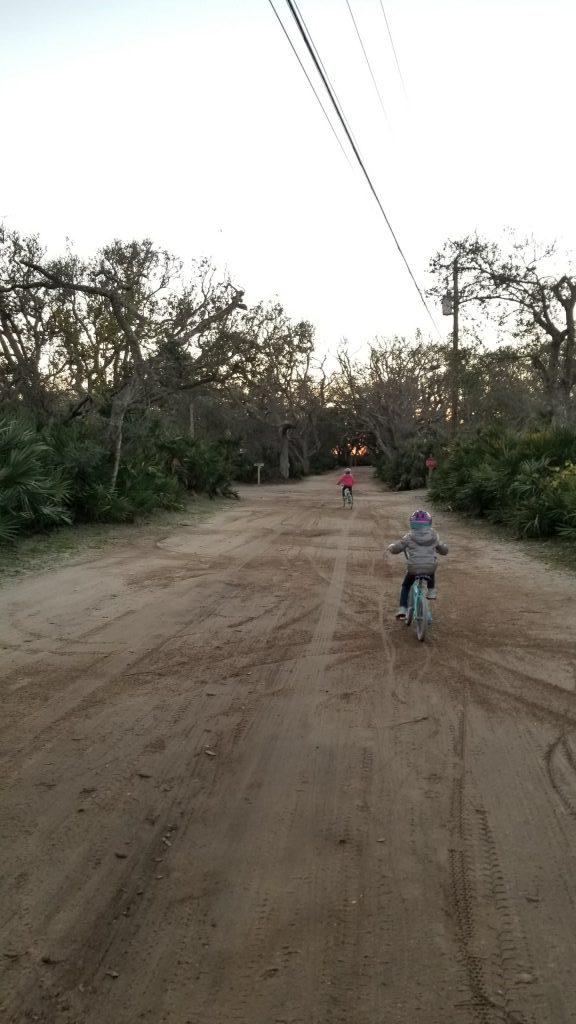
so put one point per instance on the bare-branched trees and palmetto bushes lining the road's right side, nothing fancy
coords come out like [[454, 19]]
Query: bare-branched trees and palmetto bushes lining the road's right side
[[524, 479]]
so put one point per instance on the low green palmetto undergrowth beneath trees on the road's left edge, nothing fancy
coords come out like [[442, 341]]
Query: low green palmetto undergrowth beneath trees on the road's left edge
[[53, 476]]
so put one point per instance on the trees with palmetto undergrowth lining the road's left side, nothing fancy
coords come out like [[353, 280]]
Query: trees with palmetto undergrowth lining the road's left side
[[127, 382]]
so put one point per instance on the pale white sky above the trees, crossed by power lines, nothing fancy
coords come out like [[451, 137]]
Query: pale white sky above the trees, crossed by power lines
[[191, 122]]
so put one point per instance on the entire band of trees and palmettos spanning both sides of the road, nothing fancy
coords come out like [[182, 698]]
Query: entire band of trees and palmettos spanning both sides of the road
[[129, 381]]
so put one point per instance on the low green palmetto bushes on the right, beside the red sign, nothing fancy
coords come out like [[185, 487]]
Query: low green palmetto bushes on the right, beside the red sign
[[526, 482]]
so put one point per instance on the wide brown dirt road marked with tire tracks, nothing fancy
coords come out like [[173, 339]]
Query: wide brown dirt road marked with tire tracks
[[235, 791]]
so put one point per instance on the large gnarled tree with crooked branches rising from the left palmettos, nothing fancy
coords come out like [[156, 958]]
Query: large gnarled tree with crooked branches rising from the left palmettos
[[159, 330]]
